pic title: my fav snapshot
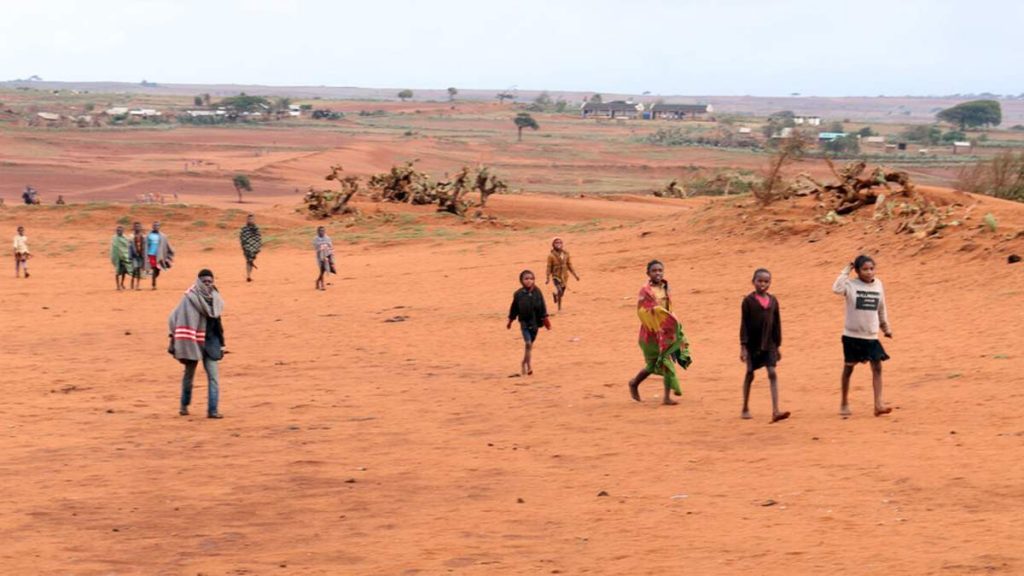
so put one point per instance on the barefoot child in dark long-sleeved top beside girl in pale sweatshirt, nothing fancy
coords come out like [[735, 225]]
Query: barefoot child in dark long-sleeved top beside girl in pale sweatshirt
[[760, 339]]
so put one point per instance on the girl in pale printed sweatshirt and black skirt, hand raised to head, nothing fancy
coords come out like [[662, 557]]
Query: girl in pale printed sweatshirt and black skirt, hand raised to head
[[866, 314]]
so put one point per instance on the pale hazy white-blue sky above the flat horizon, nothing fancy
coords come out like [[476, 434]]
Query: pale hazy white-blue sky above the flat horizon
[[759, 48]]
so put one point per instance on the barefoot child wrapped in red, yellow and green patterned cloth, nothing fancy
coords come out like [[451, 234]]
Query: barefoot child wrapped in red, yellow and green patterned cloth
[[662, 338]]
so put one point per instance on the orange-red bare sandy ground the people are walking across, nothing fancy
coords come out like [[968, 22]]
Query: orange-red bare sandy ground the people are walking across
[[357, 446]]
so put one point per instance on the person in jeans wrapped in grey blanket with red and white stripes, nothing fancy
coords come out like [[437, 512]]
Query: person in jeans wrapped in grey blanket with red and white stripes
[[197, 335]]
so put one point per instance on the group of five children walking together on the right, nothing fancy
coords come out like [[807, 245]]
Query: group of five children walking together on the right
[[664, 344]]
